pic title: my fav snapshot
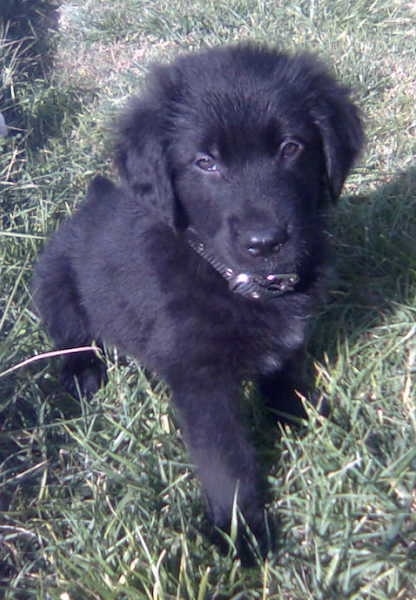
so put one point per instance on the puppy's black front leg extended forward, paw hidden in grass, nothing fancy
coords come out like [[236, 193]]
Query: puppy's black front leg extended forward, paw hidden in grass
[[225, 460]]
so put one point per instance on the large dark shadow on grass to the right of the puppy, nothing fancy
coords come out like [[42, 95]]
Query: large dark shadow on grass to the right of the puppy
[[374, 237]]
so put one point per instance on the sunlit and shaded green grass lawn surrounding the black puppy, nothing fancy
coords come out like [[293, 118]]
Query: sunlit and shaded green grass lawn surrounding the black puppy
[[97, 499]]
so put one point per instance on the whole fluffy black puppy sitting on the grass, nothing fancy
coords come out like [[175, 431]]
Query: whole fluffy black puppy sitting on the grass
[[208, 259]]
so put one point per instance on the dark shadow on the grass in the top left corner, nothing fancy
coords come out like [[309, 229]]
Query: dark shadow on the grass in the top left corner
[[32, 105]]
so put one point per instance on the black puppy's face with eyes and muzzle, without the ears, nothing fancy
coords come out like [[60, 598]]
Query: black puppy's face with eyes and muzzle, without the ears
[[249, 183]]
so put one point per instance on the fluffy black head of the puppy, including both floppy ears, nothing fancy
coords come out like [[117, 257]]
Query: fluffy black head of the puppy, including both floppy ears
[[240, 148]]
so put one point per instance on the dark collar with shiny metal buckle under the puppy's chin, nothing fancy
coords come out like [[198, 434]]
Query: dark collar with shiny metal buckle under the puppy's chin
[[247, 284]]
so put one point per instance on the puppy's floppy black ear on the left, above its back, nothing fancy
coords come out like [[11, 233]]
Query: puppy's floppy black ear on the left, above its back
[[140, 157]]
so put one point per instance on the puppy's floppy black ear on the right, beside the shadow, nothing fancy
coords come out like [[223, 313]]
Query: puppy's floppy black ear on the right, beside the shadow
[[342, 135]]
